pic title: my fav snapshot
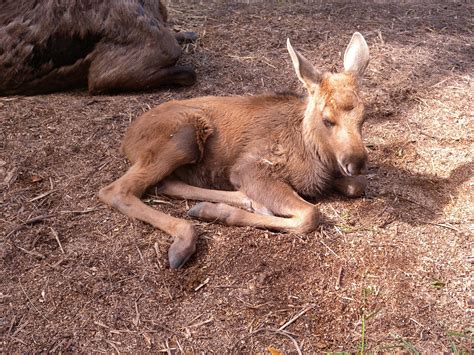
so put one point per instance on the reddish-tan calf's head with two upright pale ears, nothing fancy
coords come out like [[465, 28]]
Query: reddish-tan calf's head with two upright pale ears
[[335, 113]]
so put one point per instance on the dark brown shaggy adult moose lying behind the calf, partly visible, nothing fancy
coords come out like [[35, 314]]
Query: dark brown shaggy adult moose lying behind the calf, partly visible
[[106, 45]]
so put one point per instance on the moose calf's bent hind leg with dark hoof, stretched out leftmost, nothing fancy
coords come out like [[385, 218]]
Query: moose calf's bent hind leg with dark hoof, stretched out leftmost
[[150, 168]]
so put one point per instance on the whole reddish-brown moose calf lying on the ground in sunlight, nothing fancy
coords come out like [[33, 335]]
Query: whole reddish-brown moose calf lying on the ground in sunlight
[[253, 155]]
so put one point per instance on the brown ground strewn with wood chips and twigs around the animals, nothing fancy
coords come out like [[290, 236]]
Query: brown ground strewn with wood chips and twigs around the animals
[[390, 272]]
